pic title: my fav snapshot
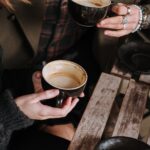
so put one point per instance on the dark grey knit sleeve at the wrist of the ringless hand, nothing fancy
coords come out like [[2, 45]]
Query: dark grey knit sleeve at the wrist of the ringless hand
[[11, 118]]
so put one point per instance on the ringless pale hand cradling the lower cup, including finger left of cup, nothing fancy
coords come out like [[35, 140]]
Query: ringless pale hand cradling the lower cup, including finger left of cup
[[32, 107]]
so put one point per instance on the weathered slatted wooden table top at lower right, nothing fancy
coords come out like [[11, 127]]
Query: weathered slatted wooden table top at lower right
[[104, 118]]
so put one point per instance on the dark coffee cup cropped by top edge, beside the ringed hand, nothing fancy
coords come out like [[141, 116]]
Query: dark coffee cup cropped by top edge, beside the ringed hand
[[86, 13]]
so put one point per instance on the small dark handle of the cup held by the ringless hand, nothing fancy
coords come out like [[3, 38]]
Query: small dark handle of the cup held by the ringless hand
[[60, 98]]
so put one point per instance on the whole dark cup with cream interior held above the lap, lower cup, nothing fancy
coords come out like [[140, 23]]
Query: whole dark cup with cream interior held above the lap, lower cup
[[69, 77]]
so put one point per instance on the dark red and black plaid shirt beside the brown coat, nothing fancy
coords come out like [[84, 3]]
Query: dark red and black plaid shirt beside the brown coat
[[59, 32]]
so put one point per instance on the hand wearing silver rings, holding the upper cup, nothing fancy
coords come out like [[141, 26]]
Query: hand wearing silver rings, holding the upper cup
[[124, 23]]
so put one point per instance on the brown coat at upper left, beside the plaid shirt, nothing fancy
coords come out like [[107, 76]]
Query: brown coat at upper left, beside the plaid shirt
[[19, 36]]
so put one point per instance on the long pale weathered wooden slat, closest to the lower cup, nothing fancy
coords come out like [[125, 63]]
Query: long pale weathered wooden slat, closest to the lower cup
[[92, 124]]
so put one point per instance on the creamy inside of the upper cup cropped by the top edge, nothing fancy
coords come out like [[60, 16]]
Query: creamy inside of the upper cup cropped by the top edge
[[92, 3]]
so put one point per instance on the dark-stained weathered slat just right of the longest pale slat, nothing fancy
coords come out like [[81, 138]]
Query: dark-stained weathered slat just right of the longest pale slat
[[132, 109]]
